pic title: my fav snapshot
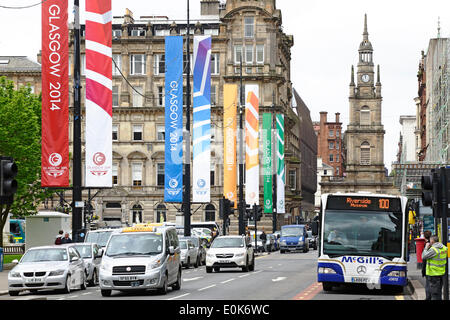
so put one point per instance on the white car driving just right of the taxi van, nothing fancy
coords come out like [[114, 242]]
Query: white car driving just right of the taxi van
[[230, 252]]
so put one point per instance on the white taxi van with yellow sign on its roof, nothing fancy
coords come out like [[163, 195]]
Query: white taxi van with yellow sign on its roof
[[141, 257]]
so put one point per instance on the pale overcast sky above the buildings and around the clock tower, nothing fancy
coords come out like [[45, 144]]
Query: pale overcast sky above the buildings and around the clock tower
[[327, 35]]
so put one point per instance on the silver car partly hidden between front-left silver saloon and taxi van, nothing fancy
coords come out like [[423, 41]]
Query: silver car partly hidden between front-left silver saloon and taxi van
[[92, 257]]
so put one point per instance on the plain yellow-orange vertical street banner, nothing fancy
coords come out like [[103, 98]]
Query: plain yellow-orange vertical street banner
[[230, 96]]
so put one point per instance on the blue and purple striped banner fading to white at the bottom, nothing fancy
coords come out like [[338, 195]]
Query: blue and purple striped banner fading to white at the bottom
[[201, 189]]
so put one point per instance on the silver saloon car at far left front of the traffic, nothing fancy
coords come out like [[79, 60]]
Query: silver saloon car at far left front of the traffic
[[49, 267]]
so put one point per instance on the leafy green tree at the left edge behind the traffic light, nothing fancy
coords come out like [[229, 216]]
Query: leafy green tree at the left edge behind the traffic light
[[20, 138]]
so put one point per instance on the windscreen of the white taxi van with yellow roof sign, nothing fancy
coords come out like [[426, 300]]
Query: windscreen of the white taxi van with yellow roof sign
[[135, 244]]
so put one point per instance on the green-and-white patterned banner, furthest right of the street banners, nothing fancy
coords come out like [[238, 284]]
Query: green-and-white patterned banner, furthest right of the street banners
[[281, 172]]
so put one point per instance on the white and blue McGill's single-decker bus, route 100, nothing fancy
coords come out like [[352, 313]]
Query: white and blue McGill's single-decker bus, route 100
[[363, 239]]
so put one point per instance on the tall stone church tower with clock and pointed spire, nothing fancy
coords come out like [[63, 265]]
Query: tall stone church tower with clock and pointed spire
[[365, 131]]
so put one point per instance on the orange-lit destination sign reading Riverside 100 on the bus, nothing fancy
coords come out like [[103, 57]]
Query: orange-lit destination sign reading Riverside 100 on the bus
[[363, 203]]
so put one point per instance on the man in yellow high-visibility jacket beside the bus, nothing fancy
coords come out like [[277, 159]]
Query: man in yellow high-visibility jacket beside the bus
[[435, 254]]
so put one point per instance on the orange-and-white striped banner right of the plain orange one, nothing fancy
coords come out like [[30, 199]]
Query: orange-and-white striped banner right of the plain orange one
[[252, 144]]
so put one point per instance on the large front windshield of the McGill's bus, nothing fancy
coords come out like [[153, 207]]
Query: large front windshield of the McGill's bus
[[368, 233]]
